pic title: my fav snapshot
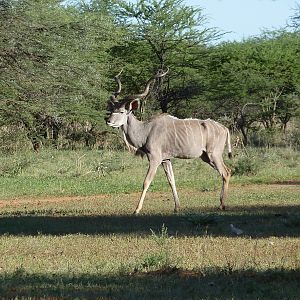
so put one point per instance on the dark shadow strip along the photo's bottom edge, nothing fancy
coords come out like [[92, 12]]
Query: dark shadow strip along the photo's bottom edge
[[168, 284]]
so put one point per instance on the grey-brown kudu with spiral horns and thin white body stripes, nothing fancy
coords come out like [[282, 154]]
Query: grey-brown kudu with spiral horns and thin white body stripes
[[165, 137]]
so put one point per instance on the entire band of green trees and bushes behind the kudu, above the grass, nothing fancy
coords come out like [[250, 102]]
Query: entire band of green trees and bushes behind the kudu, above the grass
[[57, 60]]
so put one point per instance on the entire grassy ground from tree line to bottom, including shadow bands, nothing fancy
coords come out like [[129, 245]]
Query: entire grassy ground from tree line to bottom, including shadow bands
[[67, 229]]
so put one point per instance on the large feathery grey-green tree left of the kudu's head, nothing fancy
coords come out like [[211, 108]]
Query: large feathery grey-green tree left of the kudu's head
[[53, 63]]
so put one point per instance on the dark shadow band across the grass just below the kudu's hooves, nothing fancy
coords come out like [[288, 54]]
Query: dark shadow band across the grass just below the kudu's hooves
[[255, 221]]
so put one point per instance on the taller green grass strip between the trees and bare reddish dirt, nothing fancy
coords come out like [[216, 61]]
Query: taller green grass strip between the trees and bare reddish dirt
[[62, 173]]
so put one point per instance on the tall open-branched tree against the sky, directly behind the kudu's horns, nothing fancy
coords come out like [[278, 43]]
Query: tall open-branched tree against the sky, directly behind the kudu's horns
[[168, 32]]
